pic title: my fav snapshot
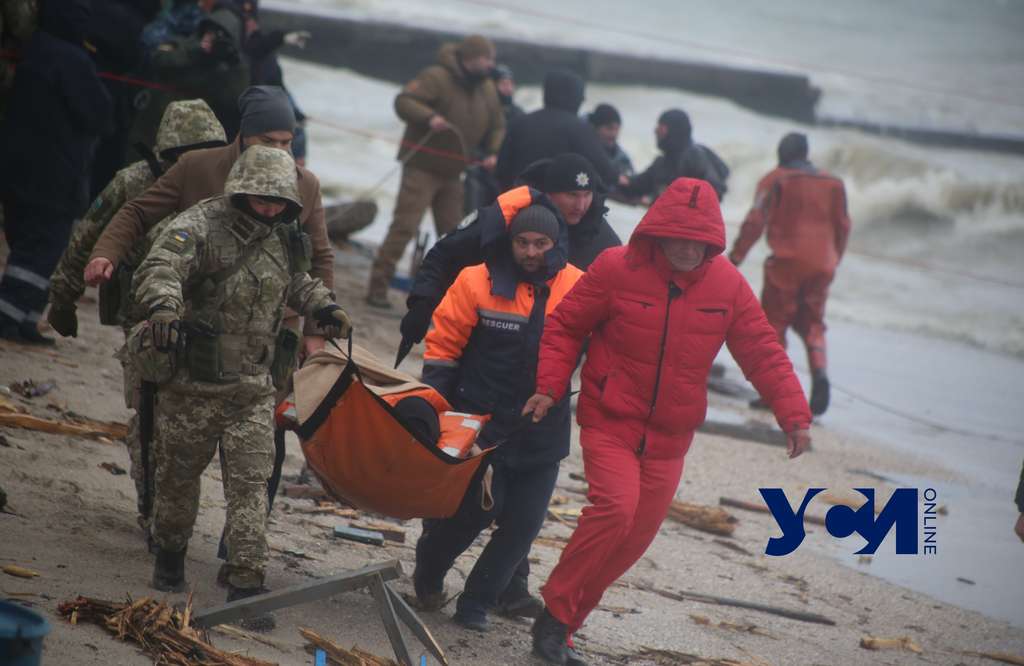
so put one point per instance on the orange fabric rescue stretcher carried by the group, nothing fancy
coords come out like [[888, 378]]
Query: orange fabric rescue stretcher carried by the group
[[364, 455]]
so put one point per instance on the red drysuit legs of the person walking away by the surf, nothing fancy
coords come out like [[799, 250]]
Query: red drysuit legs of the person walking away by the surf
[[795, 295]]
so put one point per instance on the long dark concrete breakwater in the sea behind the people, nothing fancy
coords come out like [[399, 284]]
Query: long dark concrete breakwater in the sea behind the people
[[396, 52]]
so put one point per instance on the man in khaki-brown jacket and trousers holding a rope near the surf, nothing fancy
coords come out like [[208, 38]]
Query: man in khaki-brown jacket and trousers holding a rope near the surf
[[450, 109]]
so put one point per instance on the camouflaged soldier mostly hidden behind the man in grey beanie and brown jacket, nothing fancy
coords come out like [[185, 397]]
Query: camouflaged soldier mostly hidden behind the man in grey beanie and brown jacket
[[187, 126]]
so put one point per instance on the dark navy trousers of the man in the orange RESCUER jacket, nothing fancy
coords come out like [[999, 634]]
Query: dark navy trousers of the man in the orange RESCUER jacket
[[522, 498]]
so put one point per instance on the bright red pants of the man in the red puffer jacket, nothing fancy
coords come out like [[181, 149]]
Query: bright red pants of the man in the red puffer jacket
[[630, 497]]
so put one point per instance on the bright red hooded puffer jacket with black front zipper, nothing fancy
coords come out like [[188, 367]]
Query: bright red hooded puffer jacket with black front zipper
[[655, 334]]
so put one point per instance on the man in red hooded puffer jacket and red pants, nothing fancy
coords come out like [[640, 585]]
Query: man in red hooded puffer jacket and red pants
[[657, 312]]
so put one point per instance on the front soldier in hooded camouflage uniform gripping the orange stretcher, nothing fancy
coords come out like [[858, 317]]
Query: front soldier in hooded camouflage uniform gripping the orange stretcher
[[223, 273]]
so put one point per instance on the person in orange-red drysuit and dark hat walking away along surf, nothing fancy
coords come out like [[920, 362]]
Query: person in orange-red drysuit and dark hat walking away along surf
[[804, 211]]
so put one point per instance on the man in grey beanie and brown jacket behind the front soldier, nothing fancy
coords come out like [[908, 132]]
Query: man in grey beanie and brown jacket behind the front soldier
[[268, 119]]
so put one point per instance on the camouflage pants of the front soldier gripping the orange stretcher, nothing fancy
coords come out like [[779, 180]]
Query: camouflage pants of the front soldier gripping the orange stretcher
[[189, 429]]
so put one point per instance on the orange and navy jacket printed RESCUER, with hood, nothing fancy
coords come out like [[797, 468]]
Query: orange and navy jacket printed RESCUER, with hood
[[482, 351]]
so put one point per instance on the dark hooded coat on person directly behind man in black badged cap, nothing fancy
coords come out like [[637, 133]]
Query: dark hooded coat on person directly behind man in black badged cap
[[552, 131]]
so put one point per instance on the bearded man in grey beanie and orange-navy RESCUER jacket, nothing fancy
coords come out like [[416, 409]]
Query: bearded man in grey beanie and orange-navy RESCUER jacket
[[482, 357]]
